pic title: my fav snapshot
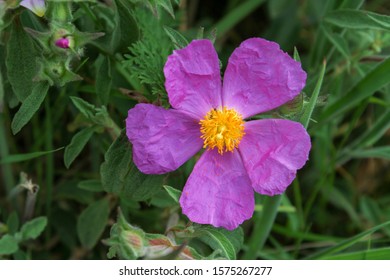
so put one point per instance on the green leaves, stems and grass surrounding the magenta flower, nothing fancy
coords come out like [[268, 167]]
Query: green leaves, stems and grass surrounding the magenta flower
[[66, 135]]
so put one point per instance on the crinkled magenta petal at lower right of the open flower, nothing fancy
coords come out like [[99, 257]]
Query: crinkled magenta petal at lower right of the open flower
[[272, 150]]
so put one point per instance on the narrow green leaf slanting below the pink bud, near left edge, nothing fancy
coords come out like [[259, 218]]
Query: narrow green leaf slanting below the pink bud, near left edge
[[29, 106]]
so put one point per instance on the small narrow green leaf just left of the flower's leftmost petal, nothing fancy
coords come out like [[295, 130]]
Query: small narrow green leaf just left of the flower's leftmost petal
[[77, 144]]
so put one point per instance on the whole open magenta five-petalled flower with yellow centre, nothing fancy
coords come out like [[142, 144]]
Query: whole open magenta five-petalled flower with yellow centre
[[240, 156]]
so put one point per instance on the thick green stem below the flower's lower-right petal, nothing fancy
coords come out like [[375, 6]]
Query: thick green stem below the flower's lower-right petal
[[263, 225]]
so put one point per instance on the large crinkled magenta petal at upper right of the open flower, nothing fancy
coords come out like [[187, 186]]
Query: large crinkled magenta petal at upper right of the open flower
[[260, 77]]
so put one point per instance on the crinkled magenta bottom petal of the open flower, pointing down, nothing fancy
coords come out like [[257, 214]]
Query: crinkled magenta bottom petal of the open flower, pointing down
[[218, 191]]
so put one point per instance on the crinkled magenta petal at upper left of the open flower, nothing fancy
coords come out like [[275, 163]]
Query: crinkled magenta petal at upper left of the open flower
[[193, 79]]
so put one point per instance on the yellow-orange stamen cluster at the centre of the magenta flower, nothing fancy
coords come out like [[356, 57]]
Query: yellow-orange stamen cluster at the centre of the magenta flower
[[222, 129]]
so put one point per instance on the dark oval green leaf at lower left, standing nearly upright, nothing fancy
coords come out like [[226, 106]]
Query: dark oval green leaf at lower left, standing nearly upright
[[91, 223]]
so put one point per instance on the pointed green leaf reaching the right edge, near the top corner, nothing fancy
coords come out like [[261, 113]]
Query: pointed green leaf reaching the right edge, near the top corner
[[358, 19]]
